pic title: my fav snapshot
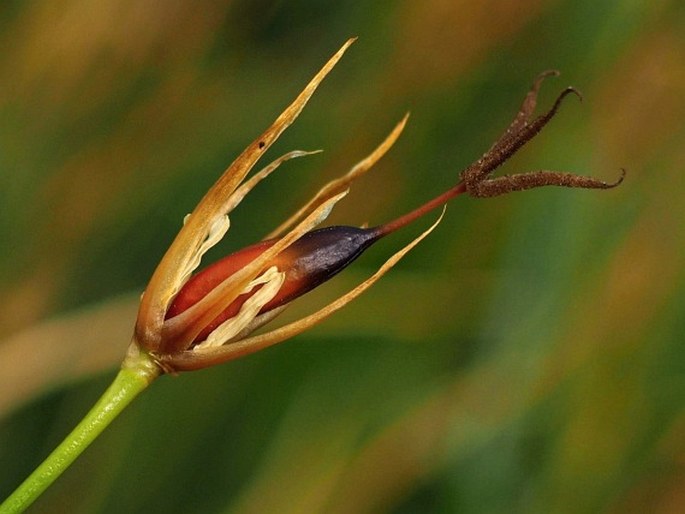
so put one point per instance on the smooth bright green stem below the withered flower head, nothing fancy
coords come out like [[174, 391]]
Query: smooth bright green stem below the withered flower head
[[137, 372]]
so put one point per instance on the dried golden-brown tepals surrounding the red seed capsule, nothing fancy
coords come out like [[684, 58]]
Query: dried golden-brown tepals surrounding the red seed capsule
[[171, 339]]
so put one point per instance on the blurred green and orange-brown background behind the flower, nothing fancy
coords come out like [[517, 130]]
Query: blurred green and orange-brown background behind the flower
[[527, 357]]
